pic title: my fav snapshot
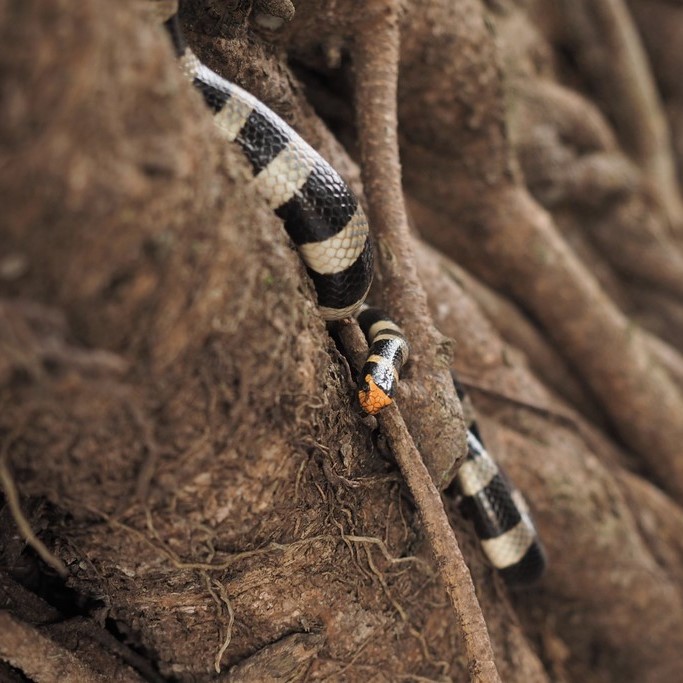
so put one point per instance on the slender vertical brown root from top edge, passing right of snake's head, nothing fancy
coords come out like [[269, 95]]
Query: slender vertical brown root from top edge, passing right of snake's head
[[435, 416]]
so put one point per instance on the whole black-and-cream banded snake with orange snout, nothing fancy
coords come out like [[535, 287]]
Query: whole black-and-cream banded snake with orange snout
[[328, 227]]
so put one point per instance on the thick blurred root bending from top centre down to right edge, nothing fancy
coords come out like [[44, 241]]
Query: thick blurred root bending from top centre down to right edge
[[494, 228]]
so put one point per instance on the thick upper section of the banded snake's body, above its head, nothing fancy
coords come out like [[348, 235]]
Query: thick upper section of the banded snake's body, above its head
[[320, 212]]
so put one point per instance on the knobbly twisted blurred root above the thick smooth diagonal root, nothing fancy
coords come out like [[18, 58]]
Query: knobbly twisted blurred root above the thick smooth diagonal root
[[570, 159]]
